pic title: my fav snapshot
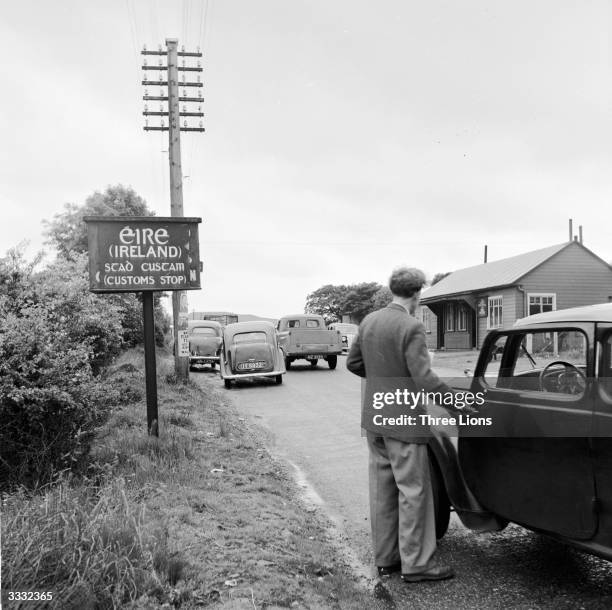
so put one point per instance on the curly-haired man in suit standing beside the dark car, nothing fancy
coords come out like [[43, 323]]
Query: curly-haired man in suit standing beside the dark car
[[391, 353]]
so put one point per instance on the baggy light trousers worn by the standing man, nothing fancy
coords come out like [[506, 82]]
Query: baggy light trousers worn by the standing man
[[401, 504]]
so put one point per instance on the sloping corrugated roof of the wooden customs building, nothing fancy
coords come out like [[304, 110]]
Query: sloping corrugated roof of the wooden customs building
[[489, 275]]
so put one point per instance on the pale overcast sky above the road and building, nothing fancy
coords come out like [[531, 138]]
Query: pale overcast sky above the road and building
[[343, 138]]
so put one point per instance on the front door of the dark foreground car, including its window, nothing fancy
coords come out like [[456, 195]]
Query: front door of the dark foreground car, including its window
[[533, 464]]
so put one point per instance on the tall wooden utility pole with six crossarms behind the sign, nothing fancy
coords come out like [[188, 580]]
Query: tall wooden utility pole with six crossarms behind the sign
[[180, 311]]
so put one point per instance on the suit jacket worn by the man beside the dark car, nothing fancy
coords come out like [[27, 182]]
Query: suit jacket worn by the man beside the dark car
[[390, 351]]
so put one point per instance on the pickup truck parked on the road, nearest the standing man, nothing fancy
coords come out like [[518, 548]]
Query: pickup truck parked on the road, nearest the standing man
[[304, 337]]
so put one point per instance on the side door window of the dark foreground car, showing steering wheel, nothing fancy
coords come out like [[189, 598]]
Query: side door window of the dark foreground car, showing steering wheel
[[548, 361]]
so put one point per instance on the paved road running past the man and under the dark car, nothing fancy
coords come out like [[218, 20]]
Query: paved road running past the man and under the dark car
[[313, 421]]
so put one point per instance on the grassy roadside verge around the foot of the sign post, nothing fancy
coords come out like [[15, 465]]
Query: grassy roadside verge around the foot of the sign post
[[200, 517]]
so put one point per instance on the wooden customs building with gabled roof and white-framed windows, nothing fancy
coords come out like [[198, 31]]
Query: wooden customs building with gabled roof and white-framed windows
[[469, 302]]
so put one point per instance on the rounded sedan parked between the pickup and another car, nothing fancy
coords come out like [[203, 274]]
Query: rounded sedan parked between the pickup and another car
[[250, 349]]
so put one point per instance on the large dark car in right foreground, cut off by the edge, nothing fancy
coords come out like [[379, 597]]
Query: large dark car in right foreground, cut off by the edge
[[545, 460]]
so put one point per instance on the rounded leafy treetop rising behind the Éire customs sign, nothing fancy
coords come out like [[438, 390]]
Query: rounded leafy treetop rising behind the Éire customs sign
[[67, 231]]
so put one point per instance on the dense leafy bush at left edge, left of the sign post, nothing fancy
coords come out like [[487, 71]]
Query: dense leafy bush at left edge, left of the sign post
[[54, 337]]
